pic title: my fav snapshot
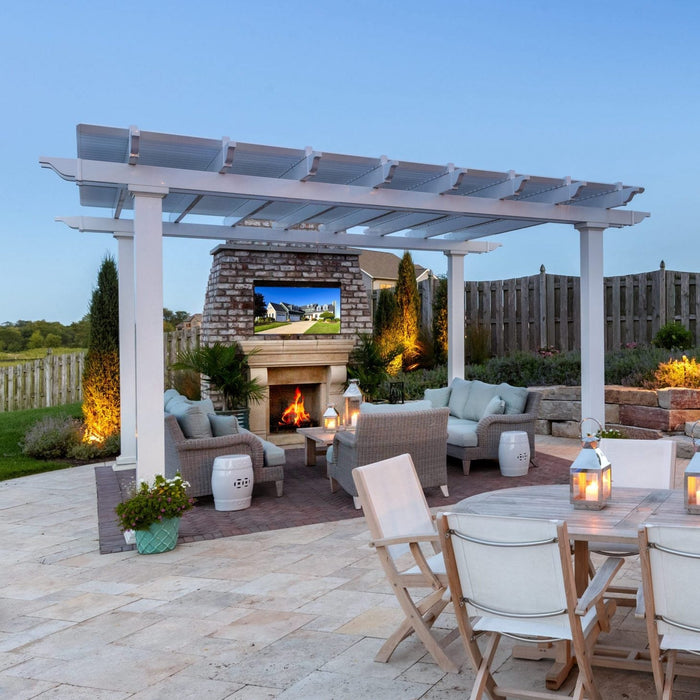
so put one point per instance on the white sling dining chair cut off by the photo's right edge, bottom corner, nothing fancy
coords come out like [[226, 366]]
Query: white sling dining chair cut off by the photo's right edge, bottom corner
[[670, 560]]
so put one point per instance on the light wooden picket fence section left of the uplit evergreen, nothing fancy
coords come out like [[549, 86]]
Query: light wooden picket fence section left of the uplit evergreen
[[54, 380]]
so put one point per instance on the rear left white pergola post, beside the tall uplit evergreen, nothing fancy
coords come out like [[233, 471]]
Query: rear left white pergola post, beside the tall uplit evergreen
[[127, 353]]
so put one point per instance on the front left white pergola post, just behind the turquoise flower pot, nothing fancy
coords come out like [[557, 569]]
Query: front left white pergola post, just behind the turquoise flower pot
[[148, 286]]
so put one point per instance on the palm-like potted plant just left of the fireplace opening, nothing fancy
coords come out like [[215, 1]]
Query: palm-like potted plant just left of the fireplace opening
[[225, 369]]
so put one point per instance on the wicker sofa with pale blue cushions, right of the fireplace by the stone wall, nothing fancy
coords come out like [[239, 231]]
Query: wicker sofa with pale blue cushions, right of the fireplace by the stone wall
[[480, 412]]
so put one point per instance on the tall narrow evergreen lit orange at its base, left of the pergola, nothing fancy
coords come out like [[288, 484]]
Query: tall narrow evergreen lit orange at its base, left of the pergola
[[101, 373]]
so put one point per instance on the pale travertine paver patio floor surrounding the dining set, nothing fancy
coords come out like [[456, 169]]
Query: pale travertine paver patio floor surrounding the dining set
[[294, 613]]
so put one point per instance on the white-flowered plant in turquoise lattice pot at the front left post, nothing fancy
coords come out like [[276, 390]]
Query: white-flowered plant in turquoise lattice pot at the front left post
[[153, 512]]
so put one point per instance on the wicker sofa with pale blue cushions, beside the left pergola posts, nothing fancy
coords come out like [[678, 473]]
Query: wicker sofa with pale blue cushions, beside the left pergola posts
[[210, 436]]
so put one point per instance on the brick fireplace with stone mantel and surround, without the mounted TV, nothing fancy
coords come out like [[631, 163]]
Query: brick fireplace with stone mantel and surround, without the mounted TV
[[316, 364]]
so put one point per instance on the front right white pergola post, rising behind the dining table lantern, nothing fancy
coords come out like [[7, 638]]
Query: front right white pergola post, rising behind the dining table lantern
[[592, 323]]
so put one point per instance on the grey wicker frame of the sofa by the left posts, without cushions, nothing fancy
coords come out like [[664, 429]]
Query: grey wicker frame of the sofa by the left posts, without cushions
[[194, 458]]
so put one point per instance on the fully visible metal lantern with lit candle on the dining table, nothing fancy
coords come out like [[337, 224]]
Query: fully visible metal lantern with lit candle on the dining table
[[590, 476]]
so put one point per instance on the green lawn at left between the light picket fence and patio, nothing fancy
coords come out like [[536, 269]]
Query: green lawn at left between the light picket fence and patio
[[13, 426]]
